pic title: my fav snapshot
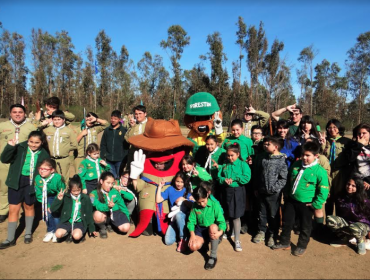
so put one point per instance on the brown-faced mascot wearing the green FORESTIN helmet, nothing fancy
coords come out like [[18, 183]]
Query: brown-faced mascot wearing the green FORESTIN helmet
[[203, 118]]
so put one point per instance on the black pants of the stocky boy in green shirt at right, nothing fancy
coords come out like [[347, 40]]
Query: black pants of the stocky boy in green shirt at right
[[293, 208]]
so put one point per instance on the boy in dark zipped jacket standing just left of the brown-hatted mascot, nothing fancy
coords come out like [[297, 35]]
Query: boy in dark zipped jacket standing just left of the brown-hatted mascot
[[113, 147]]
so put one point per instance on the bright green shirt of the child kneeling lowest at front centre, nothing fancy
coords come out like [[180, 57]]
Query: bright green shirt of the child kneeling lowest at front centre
[[207, 216]]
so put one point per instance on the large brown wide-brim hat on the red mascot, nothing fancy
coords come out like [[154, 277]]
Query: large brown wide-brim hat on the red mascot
[[160, 135]]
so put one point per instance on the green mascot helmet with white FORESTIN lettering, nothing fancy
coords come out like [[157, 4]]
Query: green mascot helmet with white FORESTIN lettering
[[201, 104]]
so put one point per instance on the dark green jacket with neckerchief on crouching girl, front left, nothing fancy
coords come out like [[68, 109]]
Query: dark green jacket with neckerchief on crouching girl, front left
[[76, 212]]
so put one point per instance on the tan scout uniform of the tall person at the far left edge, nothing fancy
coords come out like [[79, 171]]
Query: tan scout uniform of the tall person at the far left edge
[[9, 130]]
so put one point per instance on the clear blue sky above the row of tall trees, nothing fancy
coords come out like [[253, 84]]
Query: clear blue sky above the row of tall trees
[[331, 26]]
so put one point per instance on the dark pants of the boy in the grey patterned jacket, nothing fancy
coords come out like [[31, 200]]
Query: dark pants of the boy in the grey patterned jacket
[[268, 210]]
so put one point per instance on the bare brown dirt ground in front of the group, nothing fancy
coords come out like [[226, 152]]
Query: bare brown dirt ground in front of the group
[[147, 257]]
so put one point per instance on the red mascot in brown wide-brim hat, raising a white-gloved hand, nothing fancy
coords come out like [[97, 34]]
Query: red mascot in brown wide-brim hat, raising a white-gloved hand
[[161, 142]]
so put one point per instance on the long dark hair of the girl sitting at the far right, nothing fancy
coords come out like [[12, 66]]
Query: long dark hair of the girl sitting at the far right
[[359, 196]]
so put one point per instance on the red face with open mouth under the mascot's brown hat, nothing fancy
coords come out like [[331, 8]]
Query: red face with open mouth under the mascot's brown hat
[[169, 162]]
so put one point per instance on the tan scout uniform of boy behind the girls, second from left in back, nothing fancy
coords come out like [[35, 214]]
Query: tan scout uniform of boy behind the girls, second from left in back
[[62, 141]]
